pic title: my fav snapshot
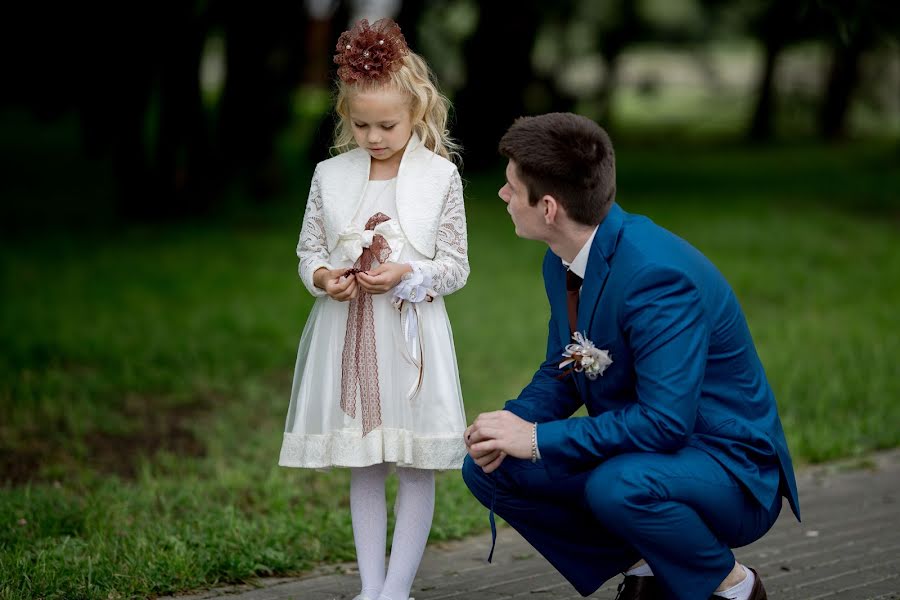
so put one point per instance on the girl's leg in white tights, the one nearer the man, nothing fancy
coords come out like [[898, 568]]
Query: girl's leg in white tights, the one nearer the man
[[415, 508]]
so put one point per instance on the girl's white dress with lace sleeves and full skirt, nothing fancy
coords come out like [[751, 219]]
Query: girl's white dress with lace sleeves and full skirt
[[422, 416]]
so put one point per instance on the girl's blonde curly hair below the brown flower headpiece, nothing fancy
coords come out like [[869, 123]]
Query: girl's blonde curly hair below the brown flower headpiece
[[429, 108]]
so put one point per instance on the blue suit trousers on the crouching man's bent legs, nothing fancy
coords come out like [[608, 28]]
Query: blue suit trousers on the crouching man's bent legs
[[681, 512]]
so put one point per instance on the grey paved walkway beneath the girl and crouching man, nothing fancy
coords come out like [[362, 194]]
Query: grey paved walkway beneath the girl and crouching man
[[848, 547]]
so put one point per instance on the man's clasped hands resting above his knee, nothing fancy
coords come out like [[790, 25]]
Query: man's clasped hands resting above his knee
[[495, 435]]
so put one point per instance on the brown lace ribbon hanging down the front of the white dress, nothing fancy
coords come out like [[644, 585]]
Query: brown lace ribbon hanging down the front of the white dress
[[359, 363]]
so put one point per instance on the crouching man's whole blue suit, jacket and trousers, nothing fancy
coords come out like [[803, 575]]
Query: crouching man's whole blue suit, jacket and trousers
[[682, 455]]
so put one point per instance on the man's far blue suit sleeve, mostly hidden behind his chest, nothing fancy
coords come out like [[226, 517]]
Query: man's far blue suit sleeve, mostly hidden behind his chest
[[547, 398]]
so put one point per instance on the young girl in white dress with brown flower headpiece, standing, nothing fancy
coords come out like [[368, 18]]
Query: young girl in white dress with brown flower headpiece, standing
[[383, 240]]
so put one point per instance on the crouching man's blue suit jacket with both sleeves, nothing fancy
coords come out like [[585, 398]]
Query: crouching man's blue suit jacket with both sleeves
[[685, 371]]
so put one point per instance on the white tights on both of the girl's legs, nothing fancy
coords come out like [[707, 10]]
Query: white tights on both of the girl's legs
[[414, 510]]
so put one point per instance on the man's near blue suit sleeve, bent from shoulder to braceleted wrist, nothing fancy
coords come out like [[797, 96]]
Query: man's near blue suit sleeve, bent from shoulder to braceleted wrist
[[666, 330]]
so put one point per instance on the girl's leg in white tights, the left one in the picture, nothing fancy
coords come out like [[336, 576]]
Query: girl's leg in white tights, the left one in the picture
[[369, 513]]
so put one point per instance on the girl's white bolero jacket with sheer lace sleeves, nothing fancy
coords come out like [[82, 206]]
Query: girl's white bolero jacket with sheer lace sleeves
[[429, 206]]
